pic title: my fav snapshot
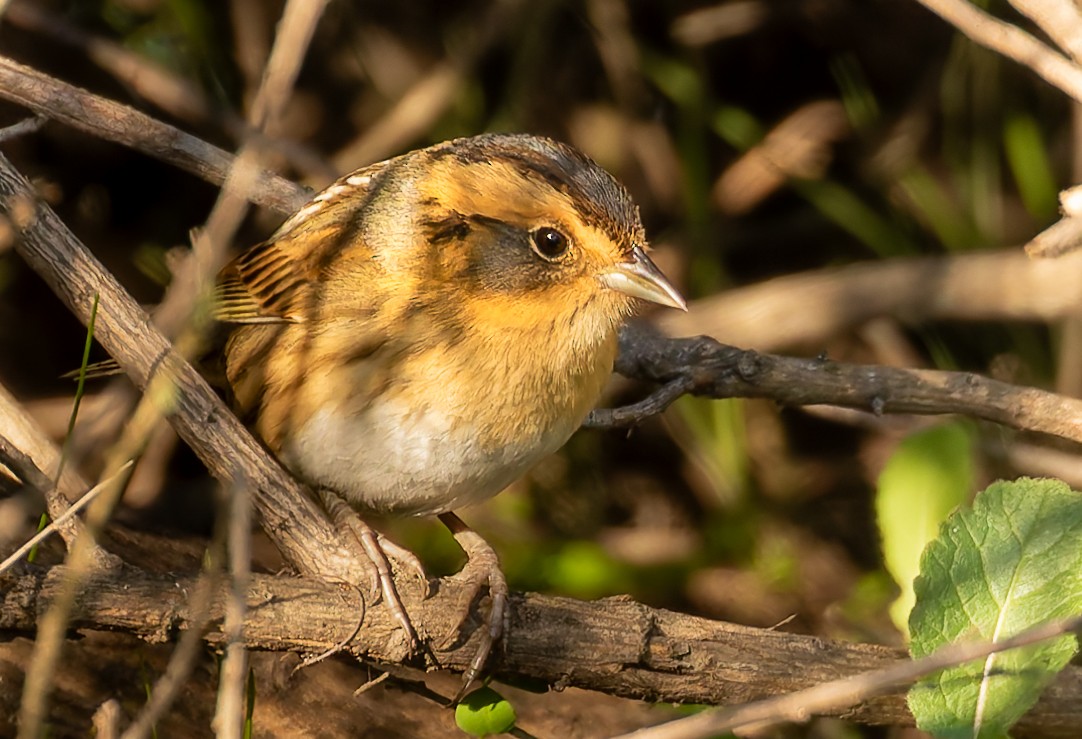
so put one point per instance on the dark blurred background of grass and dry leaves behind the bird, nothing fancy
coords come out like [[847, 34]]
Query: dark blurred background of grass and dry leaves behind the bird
[[760, 138]]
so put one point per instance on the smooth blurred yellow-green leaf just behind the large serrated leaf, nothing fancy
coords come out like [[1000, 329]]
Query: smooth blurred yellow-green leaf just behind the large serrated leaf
[[929, 476]]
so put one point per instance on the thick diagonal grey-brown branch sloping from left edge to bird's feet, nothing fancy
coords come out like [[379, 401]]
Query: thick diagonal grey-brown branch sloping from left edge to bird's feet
[[201, 418]]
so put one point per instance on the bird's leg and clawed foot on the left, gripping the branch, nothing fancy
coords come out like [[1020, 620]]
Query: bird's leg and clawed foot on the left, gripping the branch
[[378, 549]]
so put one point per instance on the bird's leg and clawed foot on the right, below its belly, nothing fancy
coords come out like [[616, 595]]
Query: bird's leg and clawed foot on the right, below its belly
[[482, 568]]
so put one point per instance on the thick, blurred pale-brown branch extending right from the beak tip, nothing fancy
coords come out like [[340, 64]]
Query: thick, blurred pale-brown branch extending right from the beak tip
[[809, 309]]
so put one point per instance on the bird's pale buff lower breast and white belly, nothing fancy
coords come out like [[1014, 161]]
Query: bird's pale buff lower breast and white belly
[[452, 430]]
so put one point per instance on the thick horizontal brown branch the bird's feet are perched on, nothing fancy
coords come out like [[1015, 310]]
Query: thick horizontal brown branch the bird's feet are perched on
[[615, 645]]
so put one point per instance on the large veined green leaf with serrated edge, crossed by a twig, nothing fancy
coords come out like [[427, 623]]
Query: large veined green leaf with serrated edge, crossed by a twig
[[1011, 563]]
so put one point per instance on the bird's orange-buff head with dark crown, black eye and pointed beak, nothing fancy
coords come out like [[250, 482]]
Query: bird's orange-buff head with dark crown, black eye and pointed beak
[[535, 235]]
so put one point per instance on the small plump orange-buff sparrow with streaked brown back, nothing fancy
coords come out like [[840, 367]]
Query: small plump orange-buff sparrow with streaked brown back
[[430, 327]]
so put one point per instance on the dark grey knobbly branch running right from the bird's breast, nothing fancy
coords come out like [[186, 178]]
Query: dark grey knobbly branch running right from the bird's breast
[[710, 369]]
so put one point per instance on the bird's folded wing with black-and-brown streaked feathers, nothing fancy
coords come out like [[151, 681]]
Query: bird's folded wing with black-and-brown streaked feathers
[[272, 282]]
